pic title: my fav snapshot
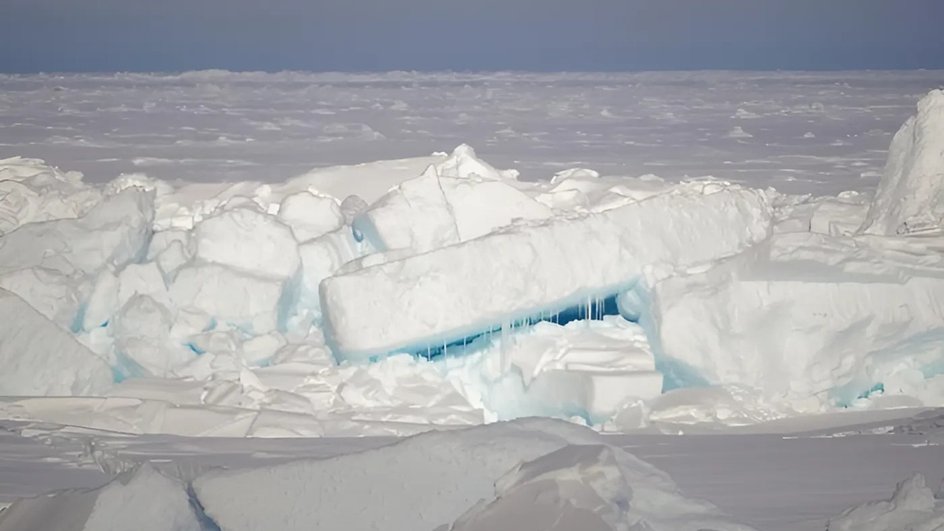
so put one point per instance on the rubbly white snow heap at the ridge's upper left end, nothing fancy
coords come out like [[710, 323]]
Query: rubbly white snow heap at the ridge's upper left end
[[32, 191]]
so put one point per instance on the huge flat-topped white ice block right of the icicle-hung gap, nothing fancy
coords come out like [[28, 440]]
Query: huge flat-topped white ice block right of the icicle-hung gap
[[809, 315]]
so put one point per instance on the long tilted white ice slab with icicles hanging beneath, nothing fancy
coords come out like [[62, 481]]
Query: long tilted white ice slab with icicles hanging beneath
[[459, 290]]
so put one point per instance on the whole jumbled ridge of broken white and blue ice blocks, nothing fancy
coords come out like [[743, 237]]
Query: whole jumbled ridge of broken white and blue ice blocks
[[386, 297]]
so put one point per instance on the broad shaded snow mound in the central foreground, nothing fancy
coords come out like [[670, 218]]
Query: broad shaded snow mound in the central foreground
[[430, 480]]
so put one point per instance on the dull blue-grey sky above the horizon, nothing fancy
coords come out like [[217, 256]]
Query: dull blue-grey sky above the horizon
[[544, 35]]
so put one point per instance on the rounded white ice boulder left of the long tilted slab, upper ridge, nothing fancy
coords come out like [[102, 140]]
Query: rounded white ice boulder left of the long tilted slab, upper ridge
[[247, 240]]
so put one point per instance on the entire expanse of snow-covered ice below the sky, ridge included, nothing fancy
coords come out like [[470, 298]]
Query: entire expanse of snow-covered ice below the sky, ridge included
[[472, 301]]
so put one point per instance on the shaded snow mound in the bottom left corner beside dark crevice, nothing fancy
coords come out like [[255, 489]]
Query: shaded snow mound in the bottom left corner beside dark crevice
[[141, 499]]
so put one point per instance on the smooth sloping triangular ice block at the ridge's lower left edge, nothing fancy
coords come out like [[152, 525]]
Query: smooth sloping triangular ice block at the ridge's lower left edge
[[39, 358]]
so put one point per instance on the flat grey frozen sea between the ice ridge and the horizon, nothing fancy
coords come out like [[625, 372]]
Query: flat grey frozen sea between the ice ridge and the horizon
[[802, 132]]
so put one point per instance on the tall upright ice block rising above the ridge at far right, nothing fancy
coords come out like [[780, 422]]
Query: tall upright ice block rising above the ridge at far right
[[910, 196]]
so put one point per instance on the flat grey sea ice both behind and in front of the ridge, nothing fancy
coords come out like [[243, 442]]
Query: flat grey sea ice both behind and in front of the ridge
[[818, 133]]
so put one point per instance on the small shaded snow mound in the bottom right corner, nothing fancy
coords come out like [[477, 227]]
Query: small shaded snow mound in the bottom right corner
[[913, 507]]
